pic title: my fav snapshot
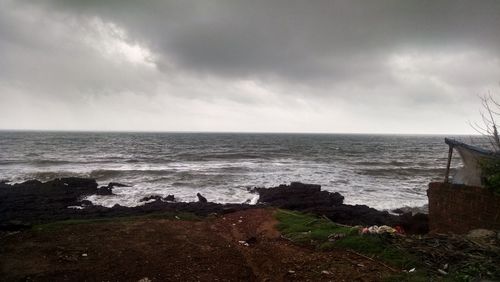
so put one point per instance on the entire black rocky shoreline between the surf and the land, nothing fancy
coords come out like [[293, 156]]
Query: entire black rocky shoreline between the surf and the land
[[33, 202]]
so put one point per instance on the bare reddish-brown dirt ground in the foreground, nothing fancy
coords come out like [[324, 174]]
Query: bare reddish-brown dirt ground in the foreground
[[176, 250]]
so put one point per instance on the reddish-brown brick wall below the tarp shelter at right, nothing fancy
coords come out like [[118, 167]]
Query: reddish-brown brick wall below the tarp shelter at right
[[459, 208]]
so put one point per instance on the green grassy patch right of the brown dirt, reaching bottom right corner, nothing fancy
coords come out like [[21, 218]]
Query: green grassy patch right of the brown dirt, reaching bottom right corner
[[317, 232]]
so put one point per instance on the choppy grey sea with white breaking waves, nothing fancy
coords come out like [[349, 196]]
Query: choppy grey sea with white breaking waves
[[381, 171]]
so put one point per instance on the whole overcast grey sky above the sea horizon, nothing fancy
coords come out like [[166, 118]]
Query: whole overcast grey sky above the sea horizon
[[265, 66]]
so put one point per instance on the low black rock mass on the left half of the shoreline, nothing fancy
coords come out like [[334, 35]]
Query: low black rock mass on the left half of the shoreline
[[39, 202]]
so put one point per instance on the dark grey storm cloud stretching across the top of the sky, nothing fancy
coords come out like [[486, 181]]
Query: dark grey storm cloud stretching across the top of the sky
[[299, 39]]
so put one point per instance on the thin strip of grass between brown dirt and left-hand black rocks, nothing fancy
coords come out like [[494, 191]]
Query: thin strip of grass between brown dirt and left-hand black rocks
[[56, 225]]
